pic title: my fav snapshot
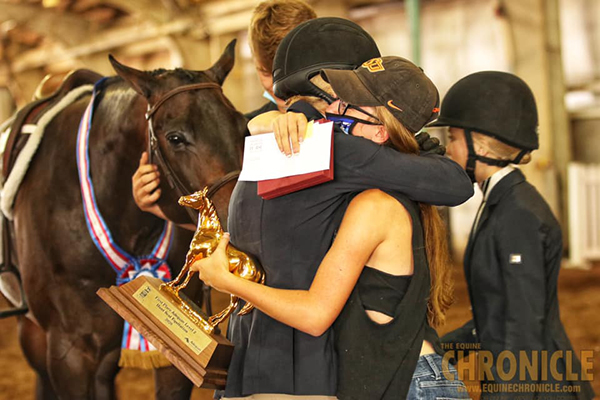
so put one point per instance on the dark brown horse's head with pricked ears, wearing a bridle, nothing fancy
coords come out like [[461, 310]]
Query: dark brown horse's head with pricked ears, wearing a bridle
[[198, 131]]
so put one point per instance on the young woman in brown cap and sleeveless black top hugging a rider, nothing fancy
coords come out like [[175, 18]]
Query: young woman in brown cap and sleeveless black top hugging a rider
[[385, 280]]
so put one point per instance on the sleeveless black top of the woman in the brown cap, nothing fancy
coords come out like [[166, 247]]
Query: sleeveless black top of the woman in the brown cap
[[377, 361]]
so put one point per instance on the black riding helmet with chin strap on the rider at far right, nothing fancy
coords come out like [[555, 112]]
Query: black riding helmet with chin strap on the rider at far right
[[493, 103]]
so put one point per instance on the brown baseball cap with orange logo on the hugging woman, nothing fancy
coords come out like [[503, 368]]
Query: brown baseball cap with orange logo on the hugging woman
[[392, 82]]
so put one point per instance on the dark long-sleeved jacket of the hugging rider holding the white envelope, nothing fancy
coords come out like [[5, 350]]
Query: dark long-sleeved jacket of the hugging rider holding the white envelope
[[290, 235]]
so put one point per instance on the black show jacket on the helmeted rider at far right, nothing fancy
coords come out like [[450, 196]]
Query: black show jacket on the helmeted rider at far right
[[511, 267]]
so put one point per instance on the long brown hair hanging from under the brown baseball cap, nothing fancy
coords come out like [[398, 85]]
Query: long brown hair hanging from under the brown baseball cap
[[436, 243]]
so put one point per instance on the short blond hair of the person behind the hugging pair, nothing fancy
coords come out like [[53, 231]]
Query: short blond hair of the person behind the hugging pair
[[271, 21]]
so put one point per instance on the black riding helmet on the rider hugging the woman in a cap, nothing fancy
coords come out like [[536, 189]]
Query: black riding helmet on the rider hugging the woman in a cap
[[330, 42]]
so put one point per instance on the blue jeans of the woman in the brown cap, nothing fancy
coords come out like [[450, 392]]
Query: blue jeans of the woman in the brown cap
[[430, 383]]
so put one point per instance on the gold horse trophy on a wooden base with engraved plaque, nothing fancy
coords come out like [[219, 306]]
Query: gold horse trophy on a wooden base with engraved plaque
[[175, 325]]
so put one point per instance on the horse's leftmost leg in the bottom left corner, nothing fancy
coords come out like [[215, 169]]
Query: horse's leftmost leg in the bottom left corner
[[33, 342]]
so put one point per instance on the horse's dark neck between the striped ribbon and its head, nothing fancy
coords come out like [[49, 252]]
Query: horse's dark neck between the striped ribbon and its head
[[117, 139]]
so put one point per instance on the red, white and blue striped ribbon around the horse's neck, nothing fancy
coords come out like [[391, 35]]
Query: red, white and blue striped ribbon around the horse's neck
[[127, 266]]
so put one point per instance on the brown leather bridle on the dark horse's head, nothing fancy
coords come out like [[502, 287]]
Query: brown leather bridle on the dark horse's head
[[154, 149]]
